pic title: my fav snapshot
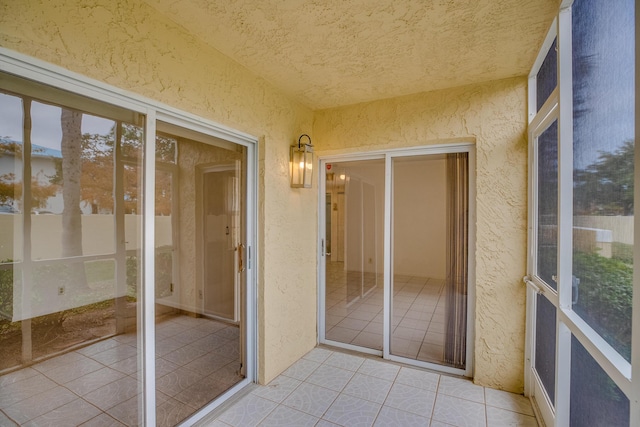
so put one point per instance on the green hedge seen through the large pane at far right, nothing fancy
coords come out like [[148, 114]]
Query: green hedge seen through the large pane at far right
[[605, 297]]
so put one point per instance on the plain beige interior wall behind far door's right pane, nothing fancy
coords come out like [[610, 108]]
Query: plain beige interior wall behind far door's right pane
[[419, 229]]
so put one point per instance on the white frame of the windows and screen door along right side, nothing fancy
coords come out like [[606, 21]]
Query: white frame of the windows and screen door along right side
[[568, 323]]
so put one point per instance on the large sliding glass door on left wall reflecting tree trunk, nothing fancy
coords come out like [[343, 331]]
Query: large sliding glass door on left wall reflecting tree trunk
[[125, 277]]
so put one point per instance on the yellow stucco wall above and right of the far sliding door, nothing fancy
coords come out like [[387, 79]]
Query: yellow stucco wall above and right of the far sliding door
[[494, 115]]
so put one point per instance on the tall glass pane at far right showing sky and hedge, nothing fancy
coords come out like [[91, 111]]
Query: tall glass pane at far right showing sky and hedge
[[603, 73]]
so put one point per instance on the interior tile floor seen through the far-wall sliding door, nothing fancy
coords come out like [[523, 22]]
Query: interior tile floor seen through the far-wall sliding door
[[354, 304]]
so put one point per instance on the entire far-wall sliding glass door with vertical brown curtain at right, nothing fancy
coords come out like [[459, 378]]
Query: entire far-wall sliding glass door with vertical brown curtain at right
[[396, 265]]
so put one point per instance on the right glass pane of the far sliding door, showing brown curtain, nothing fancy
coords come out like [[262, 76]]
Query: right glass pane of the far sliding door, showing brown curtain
[[429, 258]]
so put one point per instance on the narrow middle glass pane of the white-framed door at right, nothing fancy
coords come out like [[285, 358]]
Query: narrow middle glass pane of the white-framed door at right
[[547, 218]]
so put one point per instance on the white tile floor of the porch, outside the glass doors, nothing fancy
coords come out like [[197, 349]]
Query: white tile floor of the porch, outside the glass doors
[[329, 388]]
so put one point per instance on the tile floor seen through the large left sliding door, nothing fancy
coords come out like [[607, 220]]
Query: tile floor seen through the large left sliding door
[[196, 360]]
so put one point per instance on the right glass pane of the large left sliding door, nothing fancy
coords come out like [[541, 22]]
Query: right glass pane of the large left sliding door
[[200, 324]]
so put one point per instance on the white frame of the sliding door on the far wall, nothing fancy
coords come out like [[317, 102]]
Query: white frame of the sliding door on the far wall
[[388, 156]]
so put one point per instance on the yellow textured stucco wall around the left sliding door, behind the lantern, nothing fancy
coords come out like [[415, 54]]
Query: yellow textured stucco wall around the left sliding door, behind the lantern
[[131, 46]]
